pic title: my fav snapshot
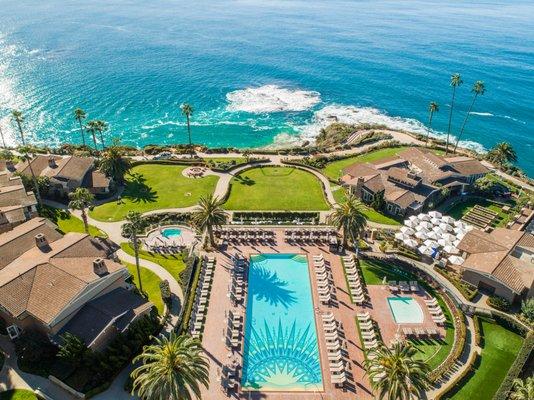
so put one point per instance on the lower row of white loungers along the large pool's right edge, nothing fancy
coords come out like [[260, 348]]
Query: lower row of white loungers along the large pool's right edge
[[334, 346]]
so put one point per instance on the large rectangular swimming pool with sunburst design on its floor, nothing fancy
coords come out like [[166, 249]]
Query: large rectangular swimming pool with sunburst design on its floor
[[281, 352]]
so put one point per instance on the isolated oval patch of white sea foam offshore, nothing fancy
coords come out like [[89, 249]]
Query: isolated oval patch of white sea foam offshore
[[271, 98]]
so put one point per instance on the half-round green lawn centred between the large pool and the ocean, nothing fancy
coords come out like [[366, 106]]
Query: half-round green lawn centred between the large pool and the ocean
[[276, 188]]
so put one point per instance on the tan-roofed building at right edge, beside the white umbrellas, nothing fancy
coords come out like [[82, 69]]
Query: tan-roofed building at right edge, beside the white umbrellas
[[500, 262]]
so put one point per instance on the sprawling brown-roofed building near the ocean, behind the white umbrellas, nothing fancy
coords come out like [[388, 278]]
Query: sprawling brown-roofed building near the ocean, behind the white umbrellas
[[413, 180]]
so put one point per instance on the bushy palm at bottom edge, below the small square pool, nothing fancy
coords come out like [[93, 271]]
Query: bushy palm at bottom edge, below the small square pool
[[395, 374]]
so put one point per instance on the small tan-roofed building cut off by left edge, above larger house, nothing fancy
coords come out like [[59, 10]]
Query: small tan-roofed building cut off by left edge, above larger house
[[16, 205]]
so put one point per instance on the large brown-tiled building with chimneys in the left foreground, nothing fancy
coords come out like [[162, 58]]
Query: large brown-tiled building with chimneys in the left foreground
[[55, 284]]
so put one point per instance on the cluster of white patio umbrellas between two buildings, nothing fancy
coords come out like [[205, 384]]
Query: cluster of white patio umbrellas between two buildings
[[433, 233]]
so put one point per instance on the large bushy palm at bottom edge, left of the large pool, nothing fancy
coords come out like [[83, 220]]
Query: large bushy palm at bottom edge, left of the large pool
[[172, 368]]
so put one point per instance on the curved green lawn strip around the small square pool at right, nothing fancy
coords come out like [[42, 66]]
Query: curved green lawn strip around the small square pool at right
[[432, 351]]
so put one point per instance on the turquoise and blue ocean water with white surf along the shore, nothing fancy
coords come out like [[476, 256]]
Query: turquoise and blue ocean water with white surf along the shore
[[264, 72]]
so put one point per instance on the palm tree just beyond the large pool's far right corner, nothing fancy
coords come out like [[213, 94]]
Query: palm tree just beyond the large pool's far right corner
[[349, 217]]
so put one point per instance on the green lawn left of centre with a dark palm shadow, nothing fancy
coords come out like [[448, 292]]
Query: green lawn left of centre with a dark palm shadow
[[155, 186]]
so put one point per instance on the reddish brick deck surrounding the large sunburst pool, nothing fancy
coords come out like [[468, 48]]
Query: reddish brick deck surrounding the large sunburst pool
[[358, 384]]
